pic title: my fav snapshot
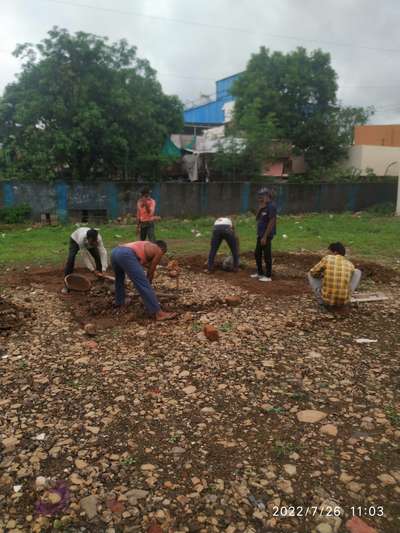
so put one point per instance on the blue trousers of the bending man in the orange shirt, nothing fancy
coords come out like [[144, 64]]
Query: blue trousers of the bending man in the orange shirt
[[124, 261]]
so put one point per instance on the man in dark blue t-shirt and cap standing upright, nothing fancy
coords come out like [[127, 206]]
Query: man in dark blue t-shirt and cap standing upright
[[266, 229]]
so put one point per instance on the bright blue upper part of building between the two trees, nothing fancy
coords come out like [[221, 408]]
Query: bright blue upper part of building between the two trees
[[211, 113]]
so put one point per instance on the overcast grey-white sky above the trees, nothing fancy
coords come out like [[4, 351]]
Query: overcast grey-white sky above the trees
[[193, 43]]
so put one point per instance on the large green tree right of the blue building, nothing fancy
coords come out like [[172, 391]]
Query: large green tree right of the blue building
[[298, 90]]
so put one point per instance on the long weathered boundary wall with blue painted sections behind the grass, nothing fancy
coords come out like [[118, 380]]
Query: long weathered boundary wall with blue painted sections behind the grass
[[118, 198]]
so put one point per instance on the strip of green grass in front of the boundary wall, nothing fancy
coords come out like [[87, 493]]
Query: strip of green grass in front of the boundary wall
[[366, 235]]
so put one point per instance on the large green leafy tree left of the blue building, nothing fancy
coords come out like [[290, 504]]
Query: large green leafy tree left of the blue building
[[82, 107]]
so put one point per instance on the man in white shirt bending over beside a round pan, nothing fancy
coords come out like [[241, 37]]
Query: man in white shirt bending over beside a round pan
[[90, 243]]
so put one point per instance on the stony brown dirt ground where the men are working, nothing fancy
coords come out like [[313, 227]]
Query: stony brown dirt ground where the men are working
[[148, 426]]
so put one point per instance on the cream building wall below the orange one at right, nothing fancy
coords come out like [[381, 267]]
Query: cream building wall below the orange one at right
[[378, 158]]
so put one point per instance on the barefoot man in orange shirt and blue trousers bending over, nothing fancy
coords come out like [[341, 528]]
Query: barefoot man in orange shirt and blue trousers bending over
[[131, 259]]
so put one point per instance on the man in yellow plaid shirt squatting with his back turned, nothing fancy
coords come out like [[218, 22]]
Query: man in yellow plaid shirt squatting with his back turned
[[334, 278]]
